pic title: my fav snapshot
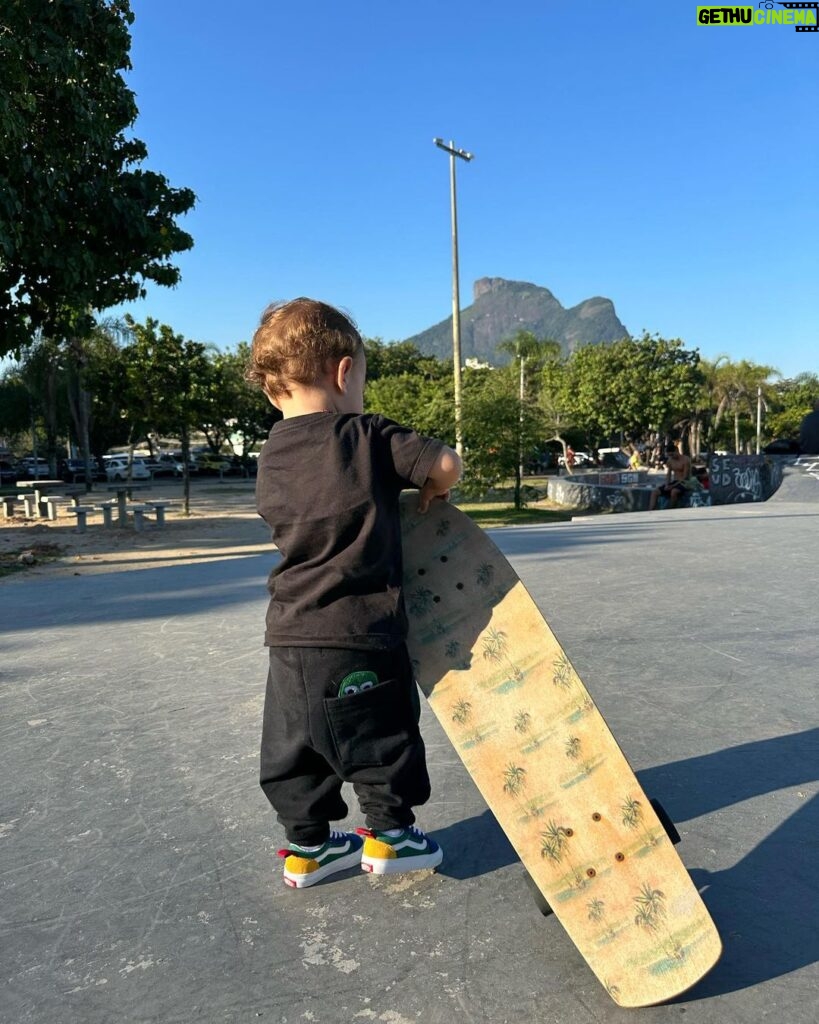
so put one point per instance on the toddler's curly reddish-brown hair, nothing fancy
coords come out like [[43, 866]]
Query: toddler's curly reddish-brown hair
[[297, 342]]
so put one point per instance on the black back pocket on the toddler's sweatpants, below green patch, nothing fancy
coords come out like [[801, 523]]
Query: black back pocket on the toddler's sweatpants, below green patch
[[373, 728]]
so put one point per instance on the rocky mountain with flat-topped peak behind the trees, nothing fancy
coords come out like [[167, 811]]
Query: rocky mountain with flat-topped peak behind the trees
[[501, 309]]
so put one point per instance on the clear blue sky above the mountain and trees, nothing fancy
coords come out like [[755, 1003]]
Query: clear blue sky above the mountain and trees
[[621, 150]]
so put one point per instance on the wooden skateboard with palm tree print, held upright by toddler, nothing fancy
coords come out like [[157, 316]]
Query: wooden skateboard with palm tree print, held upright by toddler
[[598, 852]]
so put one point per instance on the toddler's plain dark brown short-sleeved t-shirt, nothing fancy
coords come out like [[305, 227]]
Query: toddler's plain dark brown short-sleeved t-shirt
[[328, 486]]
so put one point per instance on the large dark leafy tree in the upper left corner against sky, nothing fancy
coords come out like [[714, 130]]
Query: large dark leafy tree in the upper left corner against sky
[[82, 226]]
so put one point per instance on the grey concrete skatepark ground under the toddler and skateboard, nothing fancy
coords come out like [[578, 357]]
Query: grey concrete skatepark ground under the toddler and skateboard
[[139, 877]]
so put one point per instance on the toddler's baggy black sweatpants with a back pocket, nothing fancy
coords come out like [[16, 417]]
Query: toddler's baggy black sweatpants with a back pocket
[[314, 741]]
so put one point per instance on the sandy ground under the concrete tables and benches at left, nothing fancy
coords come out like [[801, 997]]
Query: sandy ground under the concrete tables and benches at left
[[223, 524]]
